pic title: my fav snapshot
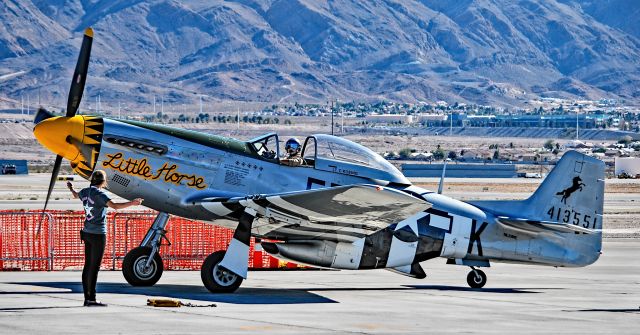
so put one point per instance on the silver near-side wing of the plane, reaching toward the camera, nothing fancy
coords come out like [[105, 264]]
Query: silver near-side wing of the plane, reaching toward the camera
[[342, 213]]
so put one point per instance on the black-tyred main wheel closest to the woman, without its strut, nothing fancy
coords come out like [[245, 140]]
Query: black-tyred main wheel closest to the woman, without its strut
[[135, 270]]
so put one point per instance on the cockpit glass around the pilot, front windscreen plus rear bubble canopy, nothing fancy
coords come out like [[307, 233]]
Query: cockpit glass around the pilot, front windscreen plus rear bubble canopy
[[334, 154]]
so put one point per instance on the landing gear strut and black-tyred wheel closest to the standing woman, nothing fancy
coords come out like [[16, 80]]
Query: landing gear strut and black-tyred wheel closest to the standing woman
[[142, 266]]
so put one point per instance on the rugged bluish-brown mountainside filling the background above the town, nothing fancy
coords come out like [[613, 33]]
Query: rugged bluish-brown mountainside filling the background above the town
[[483, 51]]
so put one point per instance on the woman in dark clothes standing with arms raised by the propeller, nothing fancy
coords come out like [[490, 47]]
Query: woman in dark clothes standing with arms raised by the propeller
[[95, 202]]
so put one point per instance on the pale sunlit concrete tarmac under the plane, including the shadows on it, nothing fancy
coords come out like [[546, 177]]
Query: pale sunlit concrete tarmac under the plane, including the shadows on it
[[601, 298]]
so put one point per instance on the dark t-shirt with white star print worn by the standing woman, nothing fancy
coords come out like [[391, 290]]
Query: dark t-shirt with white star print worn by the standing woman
[[94, 201]]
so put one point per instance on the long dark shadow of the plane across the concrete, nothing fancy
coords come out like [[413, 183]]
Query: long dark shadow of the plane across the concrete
[[268, 296]]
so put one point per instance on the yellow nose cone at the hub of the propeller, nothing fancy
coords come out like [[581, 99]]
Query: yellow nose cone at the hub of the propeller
[[58, 134]]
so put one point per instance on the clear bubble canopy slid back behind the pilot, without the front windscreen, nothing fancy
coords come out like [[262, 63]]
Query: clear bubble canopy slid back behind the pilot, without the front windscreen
[[352, 158]]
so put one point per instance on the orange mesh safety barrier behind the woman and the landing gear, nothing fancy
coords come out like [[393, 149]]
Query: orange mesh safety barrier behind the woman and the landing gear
[[58, 245]]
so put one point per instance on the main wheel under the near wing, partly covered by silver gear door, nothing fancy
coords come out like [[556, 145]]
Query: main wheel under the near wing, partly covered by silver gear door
[[216, 278]]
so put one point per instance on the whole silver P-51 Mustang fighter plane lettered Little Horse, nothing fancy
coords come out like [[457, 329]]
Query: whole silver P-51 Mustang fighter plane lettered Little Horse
[[344, 208]]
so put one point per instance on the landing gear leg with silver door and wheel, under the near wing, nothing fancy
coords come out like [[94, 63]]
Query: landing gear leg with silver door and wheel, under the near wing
[[223, 272]]
